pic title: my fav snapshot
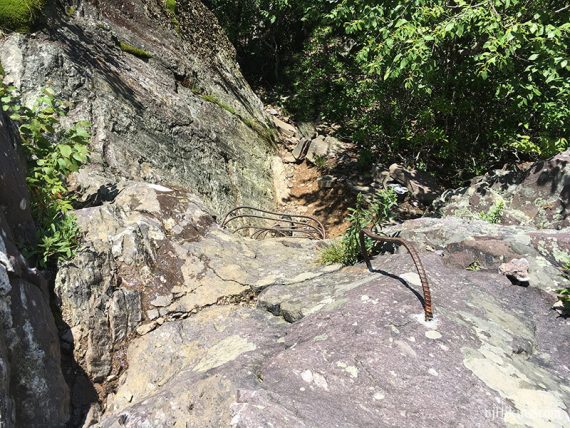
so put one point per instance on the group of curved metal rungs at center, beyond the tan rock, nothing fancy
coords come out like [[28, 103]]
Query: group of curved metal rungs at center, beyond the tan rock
[[270, 223]]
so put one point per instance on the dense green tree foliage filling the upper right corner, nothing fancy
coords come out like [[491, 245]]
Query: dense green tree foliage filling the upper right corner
[[467, 85]]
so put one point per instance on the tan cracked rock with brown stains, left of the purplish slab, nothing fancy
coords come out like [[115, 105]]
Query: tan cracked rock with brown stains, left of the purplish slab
[[152, 255]]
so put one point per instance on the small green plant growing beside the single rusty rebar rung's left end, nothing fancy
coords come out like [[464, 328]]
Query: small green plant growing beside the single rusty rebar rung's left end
[[375, 215]]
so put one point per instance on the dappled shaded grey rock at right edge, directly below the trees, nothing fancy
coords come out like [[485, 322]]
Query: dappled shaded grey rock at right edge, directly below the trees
[[537, 196]]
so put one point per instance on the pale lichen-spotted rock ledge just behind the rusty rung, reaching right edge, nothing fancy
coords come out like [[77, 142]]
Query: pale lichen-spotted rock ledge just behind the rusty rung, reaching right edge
[[476, 244]]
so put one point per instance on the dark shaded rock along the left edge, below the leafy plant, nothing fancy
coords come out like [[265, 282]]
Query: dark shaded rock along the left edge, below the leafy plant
[[33, 392]]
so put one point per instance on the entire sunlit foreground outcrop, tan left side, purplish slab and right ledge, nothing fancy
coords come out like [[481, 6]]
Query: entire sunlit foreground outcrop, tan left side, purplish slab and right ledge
[[182, 324]]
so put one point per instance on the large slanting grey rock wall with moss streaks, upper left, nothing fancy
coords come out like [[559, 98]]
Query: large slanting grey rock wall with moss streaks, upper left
[[185, 116]]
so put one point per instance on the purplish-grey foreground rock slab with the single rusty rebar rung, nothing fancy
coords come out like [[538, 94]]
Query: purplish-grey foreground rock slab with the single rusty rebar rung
[[358, 354]]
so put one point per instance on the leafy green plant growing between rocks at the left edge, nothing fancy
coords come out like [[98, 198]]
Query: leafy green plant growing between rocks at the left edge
[[53, 152]]
